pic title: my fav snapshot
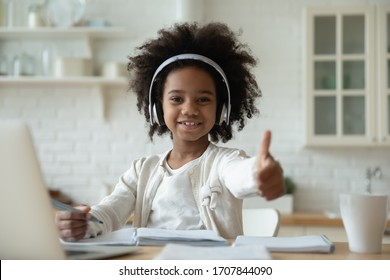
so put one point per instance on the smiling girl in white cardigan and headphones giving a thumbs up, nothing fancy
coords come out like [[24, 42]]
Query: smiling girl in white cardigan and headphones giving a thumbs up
[[193, 82]]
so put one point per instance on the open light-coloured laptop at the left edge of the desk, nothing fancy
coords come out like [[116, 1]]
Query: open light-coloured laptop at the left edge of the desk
[[27, 223]]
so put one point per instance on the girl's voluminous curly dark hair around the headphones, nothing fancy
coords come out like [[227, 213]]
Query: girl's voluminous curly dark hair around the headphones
[[215, 41]]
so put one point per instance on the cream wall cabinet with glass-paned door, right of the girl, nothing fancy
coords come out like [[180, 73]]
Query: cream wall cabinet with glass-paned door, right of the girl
[[347, 76]]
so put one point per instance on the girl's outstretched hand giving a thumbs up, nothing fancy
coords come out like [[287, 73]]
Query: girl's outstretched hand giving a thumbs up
[[268, 172]]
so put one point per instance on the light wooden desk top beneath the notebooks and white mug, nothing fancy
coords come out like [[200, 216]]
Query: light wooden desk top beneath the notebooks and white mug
[[341, 253]]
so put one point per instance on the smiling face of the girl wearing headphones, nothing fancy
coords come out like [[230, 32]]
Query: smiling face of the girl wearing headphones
[[189, 104]]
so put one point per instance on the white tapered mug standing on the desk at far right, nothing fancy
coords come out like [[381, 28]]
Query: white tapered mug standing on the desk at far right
[[364, 217]]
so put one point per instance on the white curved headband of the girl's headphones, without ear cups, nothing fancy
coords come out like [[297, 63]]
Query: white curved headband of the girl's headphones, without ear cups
[[192, 56]]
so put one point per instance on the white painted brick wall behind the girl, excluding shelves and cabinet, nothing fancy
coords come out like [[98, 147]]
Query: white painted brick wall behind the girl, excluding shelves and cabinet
[[82, 154]]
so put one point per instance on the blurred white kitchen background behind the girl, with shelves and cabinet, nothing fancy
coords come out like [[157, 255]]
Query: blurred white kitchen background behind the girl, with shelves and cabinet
[[63, 72]]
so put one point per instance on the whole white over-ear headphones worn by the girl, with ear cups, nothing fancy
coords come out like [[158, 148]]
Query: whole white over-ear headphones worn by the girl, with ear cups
[[156, 113]]
